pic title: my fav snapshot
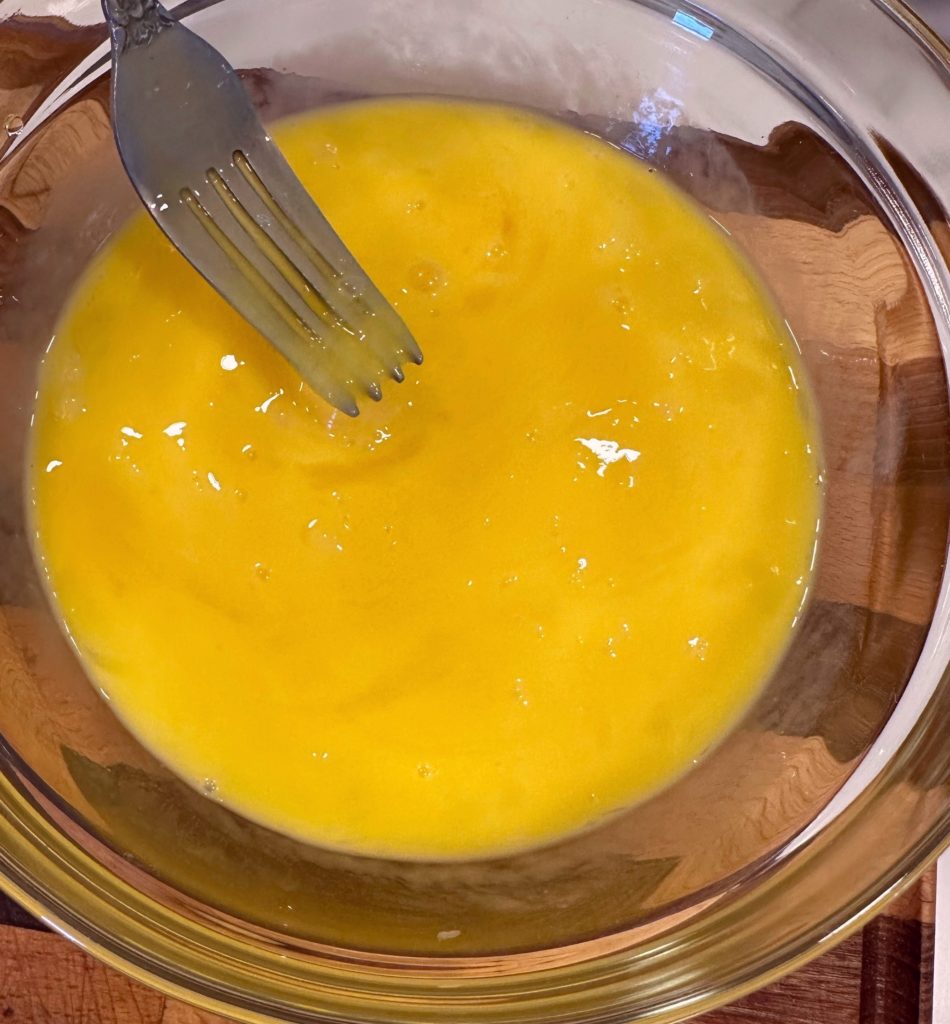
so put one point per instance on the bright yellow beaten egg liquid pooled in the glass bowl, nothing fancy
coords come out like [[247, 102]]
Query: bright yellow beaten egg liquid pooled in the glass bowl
[[529, 589]]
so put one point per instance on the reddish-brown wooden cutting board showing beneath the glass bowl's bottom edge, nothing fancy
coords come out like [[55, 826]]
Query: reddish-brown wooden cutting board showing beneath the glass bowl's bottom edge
[[883, 975]]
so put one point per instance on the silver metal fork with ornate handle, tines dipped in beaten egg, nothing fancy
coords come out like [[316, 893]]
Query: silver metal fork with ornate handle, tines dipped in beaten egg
[[219, 187]]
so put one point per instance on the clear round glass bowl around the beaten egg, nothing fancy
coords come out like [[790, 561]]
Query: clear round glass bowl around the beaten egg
[[810, 131]]
